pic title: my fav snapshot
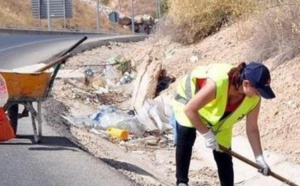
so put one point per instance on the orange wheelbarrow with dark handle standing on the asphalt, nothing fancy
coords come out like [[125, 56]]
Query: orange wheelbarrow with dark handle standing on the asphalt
[[26, 88]]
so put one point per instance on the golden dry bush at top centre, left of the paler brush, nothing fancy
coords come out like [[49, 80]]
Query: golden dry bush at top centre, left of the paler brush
[[193, 20]]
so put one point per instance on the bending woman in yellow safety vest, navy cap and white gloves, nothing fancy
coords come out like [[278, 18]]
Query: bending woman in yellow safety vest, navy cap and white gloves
[[210, 100]]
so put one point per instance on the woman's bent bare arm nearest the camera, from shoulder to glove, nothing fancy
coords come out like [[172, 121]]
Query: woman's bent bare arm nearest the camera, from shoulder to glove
[[204, 96]]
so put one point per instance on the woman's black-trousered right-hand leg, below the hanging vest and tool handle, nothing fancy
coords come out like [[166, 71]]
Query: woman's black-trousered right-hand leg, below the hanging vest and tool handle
[[225, 168]]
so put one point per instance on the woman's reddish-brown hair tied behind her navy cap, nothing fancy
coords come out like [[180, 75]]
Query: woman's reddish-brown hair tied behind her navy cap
[[236, 75]]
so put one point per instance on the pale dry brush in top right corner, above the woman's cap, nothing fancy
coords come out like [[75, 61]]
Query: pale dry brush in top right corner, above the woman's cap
[[275, 32]]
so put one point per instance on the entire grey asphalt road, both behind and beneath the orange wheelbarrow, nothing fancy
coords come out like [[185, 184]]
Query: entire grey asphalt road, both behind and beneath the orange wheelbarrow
[[56, 161]]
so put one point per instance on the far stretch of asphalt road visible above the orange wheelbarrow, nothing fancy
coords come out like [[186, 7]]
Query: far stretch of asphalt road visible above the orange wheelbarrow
[[21, 50]]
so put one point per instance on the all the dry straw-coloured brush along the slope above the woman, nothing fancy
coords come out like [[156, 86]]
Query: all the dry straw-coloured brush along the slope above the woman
[[272, 27]]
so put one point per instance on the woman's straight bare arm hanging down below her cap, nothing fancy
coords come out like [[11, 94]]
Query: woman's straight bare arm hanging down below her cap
[[253, 131]]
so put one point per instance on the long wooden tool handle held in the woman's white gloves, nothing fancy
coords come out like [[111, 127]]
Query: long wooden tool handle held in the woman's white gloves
[[253, 164]]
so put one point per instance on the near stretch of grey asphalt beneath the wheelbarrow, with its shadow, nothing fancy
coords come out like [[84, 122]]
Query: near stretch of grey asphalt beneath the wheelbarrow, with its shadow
[[54, 162]]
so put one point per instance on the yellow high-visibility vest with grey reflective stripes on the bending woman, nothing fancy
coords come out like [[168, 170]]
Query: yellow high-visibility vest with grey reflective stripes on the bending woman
[[213, 111]]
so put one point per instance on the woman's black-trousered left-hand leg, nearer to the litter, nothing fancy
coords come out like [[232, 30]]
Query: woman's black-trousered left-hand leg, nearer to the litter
[[185, 141]]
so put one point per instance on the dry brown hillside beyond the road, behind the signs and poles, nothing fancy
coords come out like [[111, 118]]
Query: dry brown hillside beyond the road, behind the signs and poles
[[19, 14]]
